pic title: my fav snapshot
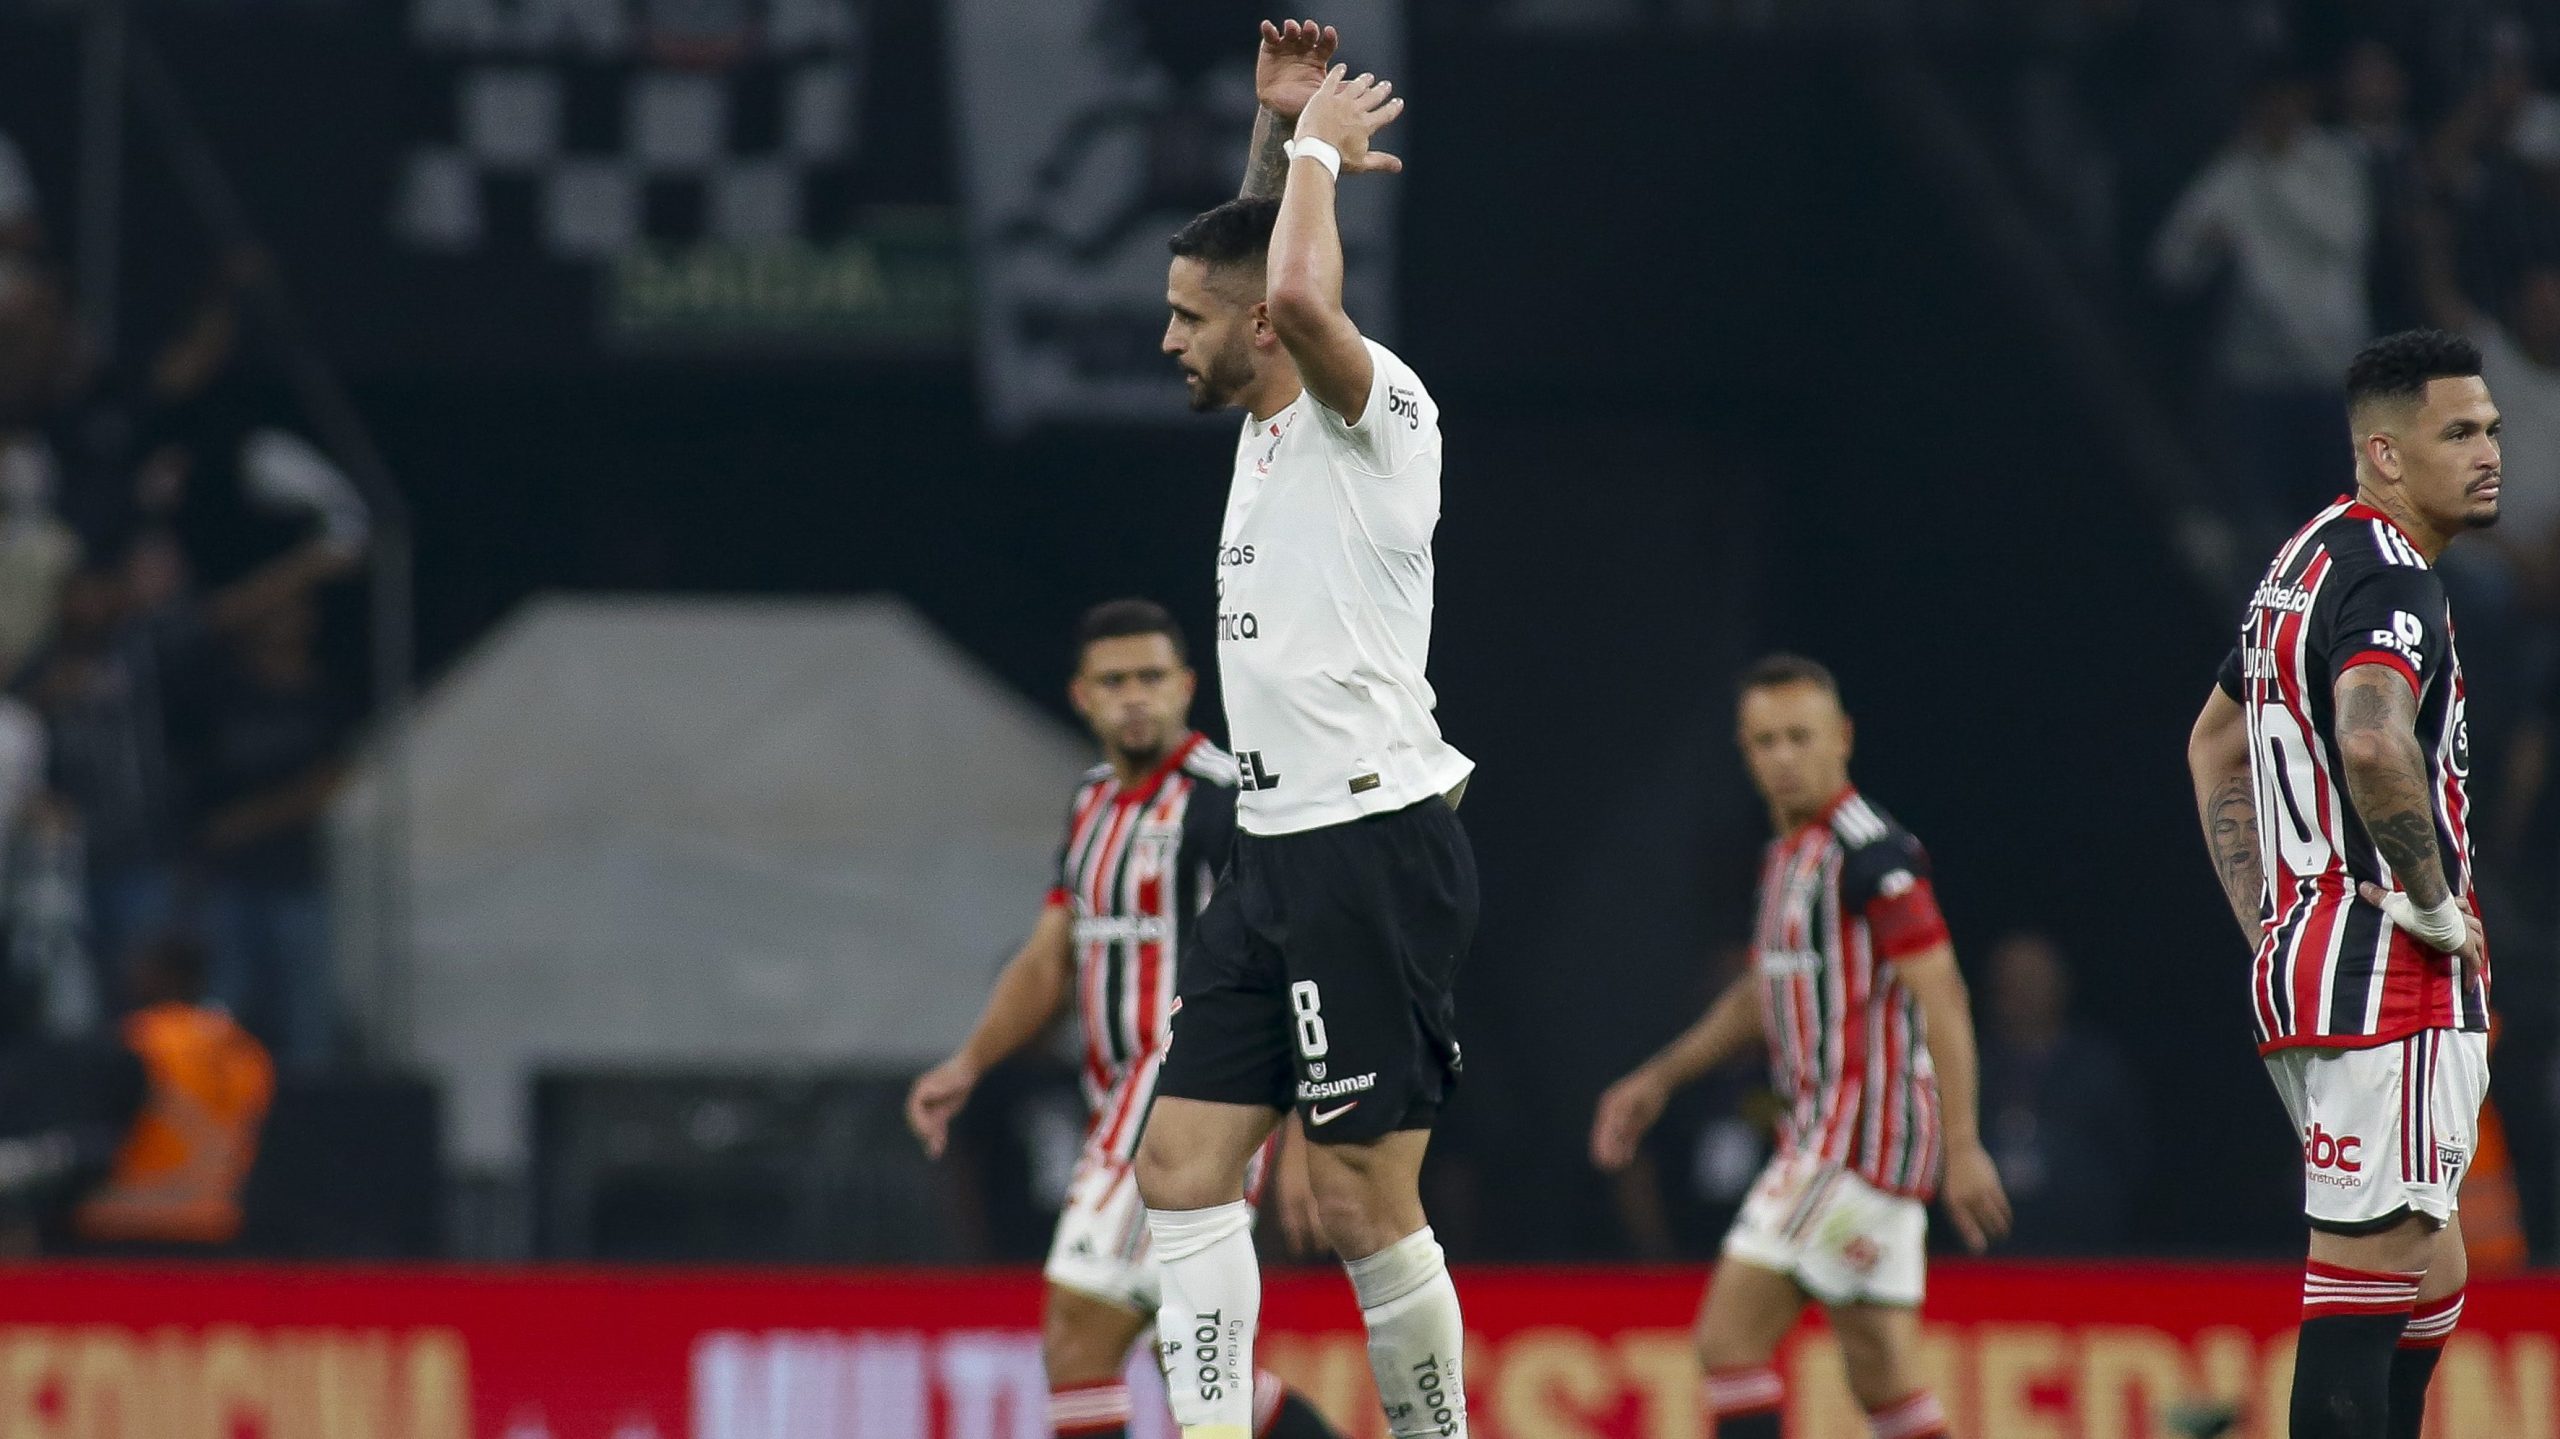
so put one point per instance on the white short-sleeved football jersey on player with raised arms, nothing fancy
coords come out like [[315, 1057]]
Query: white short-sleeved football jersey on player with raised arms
[[1325, 611]]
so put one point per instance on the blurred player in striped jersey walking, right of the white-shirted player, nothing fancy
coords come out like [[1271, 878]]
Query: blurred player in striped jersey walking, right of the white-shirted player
[[1873, 1054]]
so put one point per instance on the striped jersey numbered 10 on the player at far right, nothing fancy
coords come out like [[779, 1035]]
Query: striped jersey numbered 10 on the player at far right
[[2344, 593]]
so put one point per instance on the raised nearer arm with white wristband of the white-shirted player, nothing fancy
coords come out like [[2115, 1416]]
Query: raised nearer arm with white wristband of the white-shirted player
[[1307, 242]]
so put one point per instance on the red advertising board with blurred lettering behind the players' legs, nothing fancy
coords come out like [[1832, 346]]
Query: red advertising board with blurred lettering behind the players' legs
[[250, 1353]]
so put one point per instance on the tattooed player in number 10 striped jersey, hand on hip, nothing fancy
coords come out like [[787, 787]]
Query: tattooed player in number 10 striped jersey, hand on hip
[[2331, 769]]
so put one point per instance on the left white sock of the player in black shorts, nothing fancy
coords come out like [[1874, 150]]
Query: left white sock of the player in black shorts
[[1204, 1325]]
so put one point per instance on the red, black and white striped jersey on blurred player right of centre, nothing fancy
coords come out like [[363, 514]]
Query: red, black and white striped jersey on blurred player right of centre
[[1839, 900]]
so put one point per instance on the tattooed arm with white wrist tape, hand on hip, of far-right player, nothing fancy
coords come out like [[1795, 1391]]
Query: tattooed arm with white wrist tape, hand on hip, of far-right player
[[2392, 795]]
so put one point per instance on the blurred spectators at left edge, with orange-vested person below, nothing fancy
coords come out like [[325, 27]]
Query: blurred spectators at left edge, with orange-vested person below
[[173, 728]]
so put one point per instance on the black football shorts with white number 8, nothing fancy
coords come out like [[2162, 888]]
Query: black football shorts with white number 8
[[1320, 974]]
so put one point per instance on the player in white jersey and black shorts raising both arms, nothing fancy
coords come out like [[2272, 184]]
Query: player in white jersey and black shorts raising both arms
[[1322, 974]]
